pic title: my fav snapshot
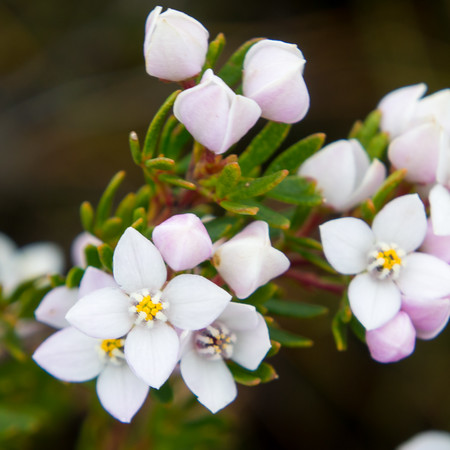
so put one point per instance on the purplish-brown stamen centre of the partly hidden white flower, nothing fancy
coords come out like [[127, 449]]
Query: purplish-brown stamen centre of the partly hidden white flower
[[215, 341]]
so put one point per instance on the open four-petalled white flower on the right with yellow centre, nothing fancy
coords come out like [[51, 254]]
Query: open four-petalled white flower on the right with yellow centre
[[384, 260]]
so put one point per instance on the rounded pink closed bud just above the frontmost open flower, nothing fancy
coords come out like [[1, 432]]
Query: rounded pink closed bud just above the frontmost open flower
[[183, 241]]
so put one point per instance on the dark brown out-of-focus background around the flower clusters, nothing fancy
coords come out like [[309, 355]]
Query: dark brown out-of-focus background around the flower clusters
[[73, 85]]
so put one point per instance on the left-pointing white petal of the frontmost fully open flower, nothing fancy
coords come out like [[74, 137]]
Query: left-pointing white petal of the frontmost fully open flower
[[102, 314]]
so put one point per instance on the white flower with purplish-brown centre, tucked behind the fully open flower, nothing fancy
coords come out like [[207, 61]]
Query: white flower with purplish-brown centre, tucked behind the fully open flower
[[240, 334]]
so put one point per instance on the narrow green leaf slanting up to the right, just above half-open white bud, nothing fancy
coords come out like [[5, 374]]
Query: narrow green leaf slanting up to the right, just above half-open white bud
[[296, 154]]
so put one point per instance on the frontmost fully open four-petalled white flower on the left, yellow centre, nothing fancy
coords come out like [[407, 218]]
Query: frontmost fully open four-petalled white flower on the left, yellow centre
[[145, 310]]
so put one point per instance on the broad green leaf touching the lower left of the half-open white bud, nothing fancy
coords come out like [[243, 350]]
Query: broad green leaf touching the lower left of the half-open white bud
[[297, 191]]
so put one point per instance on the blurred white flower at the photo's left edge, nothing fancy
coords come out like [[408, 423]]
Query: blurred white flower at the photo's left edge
[[31, 261]]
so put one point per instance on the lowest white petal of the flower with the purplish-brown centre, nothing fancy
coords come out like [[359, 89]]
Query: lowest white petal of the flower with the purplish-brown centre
[[211, 381]]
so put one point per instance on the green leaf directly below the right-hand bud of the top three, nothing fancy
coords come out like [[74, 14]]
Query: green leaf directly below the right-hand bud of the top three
[[263, 145]]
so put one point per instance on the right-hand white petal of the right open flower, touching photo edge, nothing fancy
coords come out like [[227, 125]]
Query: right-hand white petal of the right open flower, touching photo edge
[[424, 277]]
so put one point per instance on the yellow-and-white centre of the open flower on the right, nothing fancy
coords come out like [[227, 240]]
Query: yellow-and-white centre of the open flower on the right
[[385, 261]]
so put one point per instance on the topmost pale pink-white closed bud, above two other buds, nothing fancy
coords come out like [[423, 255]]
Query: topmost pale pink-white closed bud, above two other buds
[[175, 45]]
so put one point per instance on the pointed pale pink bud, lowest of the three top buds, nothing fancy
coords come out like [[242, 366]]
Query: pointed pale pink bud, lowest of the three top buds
[[214, 115]]
